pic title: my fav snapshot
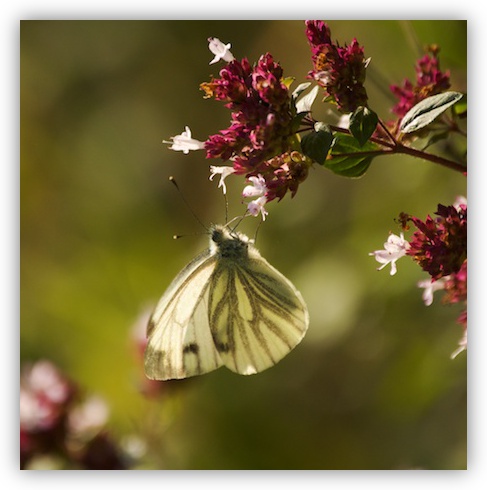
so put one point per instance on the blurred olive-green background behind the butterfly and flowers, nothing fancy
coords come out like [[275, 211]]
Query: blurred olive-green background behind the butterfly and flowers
[[371, 386]]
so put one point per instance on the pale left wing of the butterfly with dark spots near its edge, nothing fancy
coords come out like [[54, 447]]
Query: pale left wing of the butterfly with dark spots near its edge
[[179, 343]]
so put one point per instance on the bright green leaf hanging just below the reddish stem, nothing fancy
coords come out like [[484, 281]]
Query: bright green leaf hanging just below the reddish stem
[[350, 165]]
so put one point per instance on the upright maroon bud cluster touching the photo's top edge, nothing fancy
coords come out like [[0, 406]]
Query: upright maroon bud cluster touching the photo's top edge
[[339, 70]]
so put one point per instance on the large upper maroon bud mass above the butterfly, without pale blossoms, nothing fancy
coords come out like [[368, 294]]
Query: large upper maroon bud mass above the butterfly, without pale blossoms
[[261, 116]]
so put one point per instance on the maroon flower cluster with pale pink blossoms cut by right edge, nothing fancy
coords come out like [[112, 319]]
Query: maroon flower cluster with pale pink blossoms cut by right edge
[[439, 246]]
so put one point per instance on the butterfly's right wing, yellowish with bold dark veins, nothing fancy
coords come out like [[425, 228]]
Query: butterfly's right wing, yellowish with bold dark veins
[[256, 314]]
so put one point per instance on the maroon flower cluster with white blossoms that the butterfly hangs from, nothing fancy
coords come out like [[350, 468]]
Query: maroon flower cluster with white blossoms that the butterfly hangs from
[[261, 141]]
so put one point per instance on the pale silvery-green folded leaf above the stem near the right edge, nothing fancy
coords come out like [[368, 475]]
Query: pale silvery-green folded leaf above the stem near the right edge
[[426, 111]]
